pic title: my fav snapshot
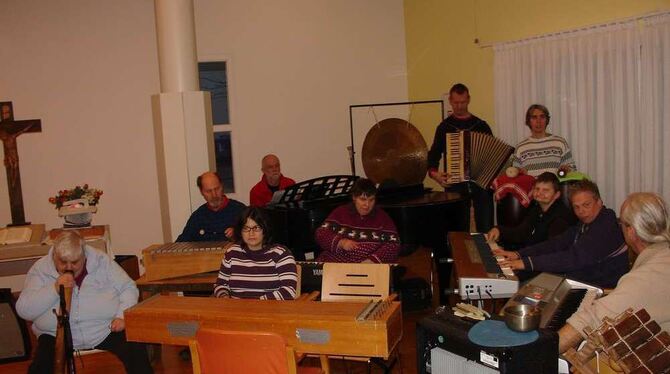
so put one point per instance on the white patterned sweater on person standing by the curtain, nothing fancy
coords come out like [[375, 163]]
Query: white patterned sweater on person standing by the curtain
[[540, 155]]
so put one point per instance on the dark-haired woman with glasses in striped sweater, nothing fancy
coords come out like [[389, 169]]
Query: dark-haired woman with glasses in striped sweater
[[253, 268]]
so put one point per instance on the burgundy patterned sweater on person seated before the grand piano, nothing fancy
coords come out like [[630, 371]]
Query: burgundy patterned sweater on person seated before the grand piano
[[375, 234]]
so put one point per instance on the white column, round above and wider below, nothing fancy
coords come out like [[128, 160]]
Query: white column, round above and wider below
[[182, 117]]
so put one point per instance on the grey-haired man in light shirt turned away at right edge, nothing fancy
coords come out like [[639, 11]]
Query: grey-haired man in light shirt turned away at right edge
[[646, 228]]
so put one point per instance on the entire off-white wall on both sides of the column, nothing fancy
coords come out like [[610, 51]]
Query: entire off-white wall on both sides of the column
[[88, 70]]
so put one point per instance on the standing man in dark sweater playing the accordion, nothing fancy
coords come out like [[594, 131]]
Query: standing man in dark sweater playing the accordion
[[461, 120]]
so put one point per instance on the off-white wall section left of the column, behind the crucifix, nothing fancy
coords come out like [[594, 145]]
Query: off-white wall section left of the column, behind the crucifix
[[87, 69]]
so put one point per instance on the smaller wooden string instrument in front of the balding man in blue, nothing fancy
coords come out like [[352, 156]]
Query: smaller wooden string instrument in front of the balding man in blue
[[162, 261]]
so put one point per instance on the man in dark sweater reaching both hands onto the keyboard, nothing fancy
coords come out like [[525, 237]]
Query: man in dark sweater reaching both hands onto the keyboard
[[593, 251]]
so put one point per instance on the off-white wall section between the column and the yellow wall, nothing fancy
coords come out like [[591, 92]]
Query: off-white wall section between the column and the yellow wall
[[295, 67]]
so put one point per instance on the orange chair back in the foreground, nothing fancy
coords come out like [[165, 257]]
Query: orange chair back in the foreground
[[220, 351]]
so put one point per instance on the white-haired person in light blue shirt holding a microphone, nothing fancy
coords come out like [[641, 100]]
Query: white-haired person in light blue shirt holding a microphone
[[101, 291]]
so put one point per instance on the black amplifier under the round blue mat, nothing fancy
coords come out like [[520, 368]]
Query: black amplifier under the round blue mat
[[443, 346]]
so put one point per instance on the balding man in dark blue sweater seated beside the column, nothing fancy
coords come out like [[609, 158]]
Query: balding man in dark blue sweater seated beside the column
[[214, 220]]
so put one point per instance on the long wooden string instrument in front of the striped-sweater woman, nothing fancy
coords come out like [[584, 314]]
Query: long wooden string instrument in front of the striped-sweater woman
[[343, 328]]
